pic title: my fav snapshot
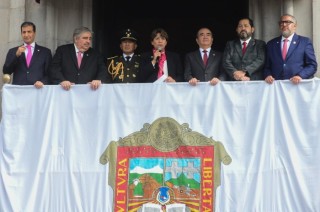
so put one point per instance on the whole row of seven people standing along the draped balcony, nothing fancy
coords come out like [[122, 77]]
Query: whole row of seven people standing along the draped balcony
[[289, 56]]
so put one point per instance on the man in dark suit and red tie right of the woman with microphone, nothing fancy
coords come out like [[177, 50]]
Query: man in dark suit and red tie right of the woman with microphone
[[204, 64]]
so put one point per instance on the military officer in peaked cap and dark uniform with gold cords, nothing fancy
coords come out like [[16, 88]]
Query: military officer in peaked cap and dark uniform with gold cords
[[124, 68]]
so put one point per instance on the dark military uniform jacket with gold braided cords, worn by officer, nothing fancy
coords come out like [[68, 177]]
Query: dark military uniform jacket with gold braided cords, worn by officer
[[121, 71]]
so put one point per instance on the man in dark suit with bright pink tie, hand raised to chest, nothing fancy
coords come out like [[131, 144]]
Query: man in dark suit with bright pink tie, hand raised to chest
[[29, 62]]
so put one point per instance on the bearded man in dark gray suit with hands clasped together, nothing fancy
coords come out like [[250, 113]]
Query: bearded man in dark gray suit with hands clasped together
[[244, 58]]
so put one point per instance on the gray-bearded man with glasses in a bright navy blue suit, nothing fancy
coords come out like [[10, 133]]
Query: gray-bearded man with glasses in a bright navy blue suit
[[289, 56]]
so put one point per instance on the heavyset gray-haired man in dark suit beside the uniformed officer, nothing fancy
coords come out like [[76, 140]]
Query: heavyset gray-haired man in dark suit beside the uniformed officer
[[78, 63]]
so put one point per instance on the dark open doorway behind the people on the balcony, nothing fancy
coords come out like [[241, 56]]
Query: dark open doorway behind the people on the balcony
[[181, 22]]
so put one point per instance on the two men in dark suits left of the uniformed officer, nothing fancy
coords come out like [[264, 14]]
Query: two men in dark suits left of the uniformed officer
[[76, 63]]
